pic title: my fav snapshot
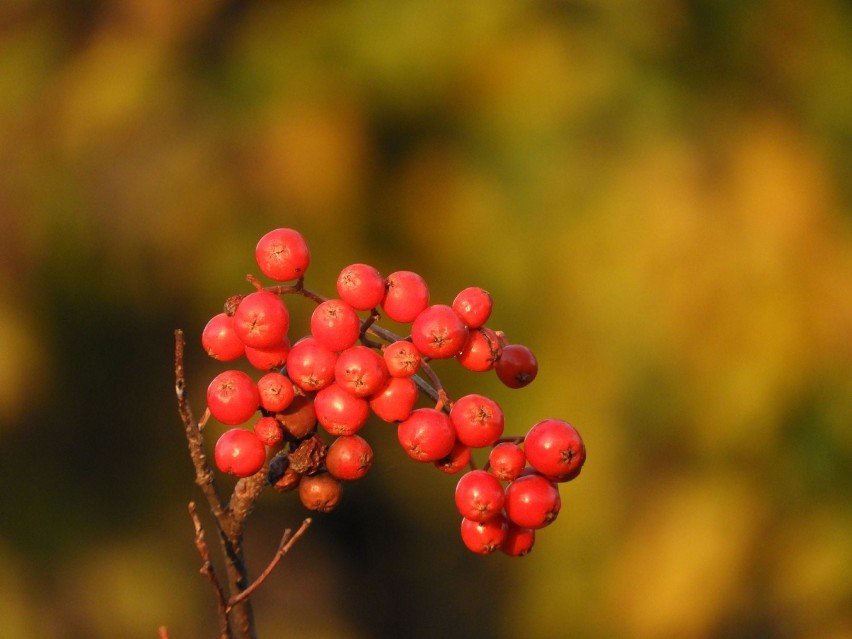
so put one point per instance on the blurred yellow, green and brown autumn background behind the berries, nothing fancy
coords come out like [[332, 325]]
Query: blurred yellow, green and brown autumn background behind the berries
[[657, 195]]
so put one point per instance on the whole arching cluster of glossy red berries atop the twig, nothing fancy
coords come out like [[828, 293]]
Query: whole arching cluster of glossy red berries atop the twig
[[349, 367]]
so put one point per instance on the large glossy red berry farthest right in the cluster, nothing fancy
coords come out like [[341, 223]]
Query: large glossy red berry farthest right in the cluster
[[555, 449]]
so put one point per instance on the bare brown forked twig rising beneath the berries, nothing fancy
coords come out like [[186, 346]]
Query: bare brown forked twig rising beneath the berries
[[235, 615]]
